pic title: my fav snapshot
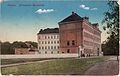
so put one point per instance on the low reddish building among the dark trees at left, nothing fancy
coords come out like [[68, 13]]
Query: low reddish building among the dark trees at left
[[28, 50]]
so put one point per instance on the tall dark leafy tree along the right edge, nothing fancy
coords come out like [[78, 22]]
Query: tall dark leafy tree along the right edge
[[111, 19]]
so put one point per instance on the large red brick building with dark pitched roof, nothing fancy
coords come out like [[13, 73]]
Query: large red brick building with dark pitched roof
[[78, 35]]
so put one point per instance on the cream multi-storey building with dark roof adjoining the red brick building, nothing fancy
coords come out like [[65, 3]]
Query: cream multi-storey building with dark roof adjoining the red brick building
[[48, 41]]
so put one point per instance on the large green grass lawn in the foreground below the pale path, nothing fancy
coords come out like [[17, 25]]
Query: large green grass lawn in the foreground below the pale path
[[54, 67]]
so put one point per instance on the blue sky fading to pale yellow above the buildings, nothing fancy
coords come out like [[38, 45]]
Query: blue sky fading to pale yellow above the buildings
[[21, 20]]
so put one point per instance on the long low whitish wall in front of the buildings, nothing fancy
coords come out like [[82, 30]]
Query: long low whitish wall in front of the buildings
[[39, 56]]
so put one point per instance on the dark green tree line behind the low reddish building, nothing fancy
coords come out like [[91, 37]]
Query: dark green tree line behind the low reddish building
[[9, 48]]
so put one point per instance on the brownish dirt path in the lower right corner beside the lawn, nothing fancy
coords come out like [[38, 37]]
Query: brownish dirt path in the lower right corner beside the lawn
[[109, 67]]
